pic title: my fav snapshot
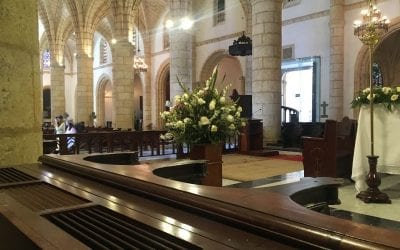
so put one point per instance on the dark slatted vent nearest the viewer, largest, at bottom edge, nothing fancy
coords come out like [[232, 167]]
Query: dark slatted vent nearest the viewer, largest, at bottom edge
[[102, 228]]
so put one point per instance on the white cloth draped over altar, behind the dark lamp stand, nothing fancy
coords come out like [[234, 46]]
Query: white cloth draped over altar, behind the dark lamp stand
[[386, 143]]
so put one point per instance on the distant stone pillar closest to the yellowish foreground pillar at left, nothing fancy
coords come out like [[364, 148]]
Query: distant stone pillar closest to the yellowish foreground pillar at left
[[57, 92]]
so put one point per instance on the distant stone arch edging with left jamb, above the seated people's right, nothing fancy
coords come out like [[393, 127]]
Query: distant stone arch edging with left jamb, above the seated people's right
[[100, 99]]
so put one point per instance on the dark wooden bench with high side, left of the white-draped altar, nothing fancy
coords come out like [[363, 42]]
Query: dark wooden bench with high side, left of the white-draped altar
[[331, 155]]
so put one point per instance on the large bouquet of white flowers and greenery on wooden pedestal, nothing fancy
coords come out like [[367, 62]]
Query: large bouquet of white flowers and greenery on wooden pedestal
[[202, 116]]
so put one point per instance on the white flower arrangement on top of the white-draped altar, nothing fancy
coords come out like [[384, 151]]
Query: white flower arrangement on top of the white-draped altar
[[386, 95]]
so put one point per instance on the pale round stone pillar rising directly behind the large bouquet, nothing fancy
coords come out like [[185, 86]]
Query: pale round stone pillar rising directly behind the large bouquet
[[180, 47]]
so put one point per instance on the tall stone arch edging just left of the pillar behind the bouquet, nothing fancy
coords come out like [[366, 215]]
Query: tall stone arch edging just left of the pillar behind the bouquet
[[163, 75]]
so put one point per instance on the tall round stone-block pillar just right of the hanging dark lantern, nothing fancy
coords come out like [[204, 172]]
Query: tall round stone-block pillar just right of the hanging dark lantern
[[266, 66]]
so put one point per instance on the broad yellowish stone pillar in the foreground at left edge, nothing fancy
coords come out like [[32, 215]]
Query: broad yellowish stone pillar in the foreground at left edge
[[20, 95]]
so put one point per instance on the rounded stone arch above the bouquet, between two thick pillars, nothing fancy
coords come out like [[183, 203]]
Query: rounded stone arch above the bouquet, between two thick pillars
[[218, 57]]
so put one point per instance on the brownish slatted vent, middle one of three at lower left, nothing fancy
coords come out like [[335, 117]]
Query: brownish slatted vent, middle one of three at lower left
[[41, 196]]
